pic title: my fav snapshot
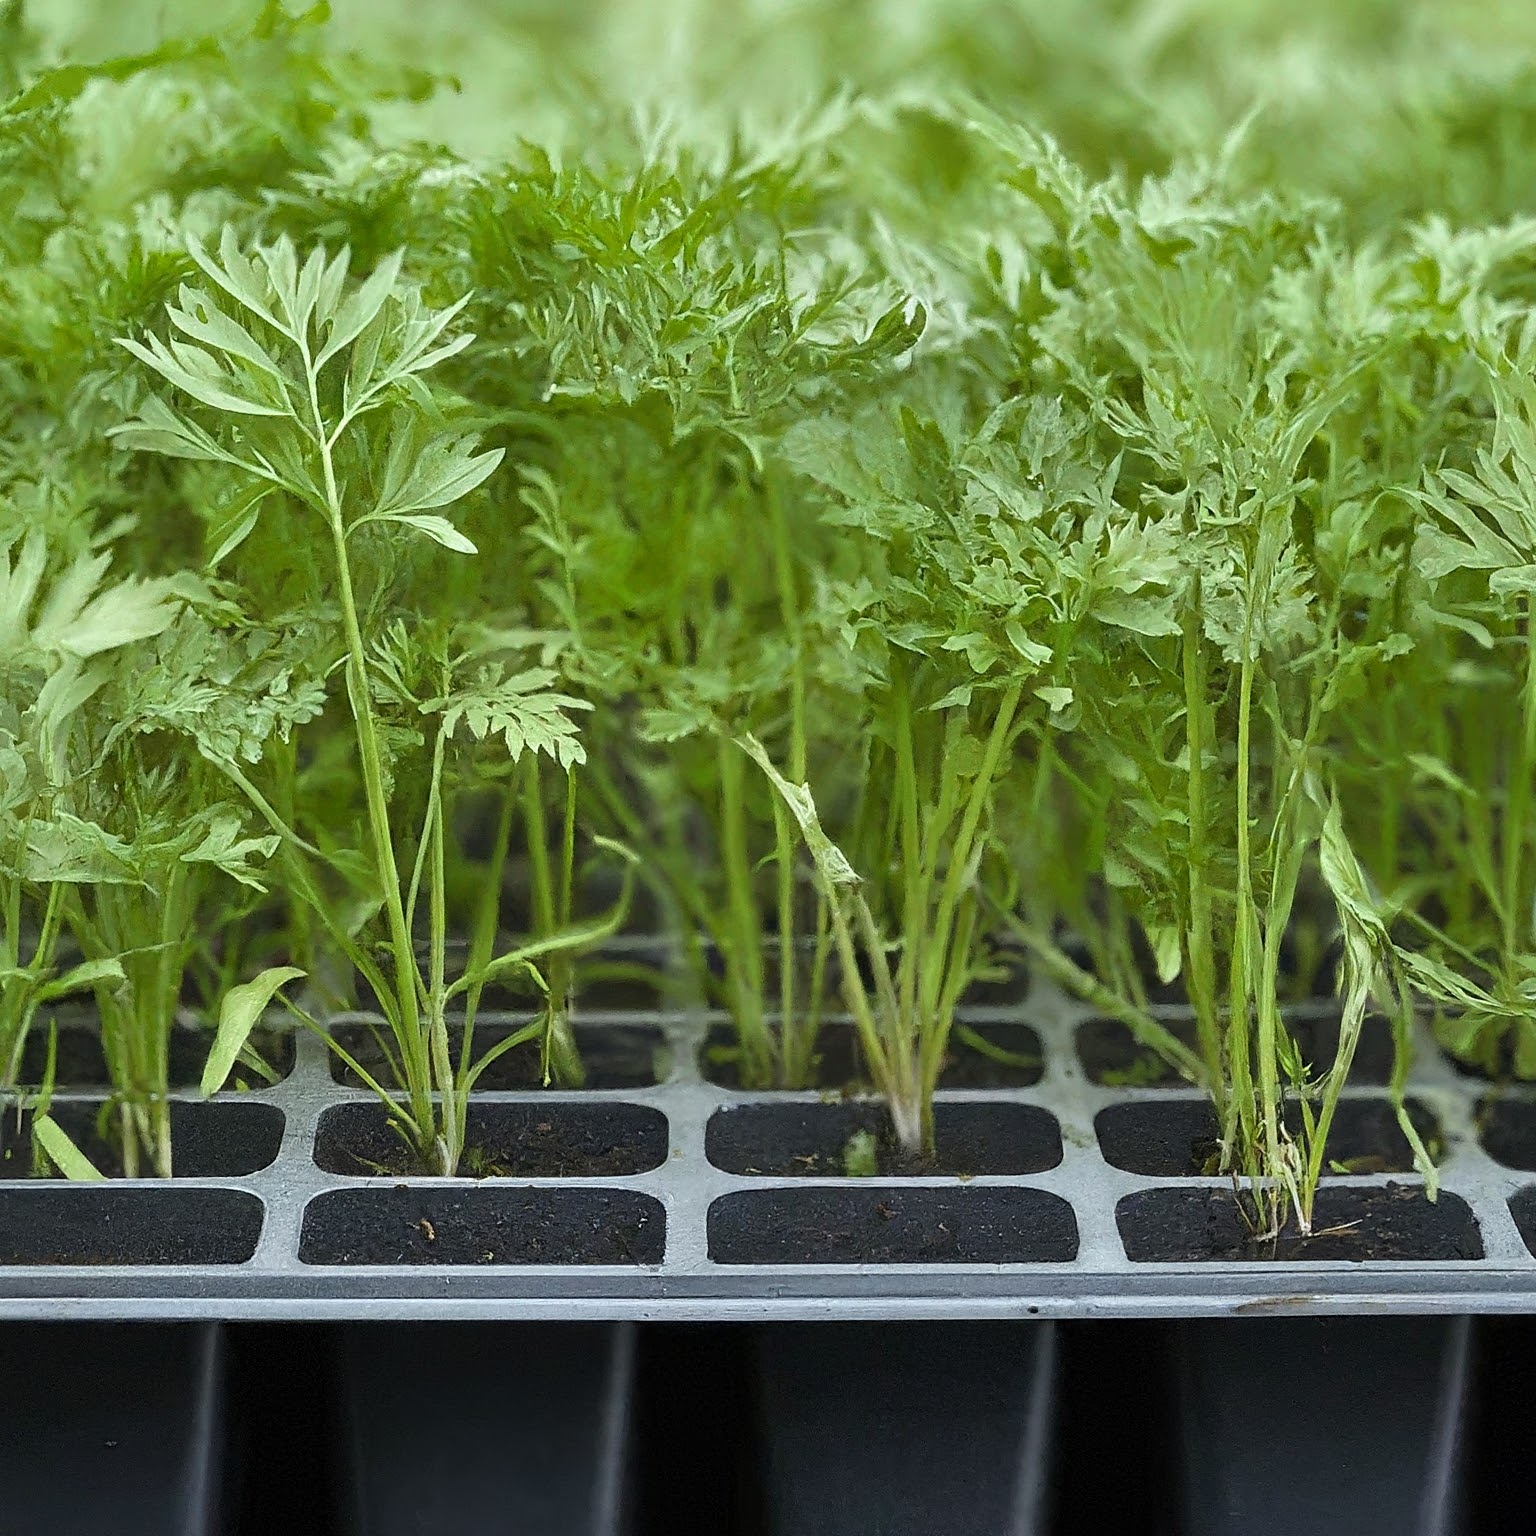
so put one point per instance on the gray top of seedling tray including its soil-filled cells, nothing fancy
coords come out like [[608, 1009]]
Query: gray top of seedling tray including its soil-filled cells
[[663, 1191]]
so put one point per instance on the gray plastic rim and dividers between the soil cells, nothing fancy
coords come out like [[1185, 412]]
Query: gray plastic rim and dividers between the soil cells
[[689, 1286]]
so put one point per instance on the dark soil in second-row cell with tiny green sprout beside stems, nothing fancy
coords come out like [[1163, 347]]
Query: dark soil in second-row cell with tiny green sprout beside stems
[[856, 1139]]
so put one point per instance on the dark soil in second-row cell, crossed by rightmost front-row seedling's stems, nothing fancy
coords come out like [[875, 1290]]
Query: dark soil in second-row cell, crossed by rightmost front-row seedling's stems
[[1177, 1137]]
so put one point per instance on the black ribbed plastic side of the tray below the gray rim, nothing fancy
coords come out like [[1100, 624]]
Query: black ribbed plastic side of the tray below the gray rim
[[1207, 1428]]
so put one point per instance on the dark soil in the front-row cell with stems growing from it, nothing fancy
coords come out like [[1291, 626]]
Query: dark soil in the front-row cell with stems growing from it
[[1351, 1225]]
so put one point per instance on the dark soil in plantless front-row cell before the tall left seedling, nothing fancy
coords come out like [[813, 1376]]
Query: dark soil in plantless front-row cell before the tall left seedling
[[483, 1225]]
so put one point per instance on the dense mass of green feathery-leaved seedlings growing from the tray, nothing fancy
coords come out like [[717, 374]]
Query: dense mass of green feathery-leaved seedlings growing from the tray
[[870, 557]]
